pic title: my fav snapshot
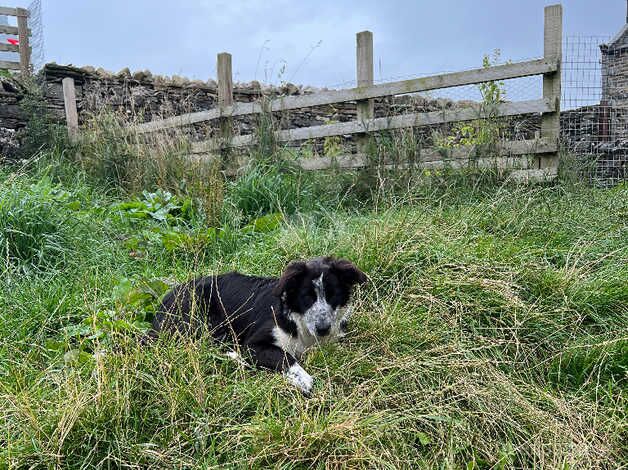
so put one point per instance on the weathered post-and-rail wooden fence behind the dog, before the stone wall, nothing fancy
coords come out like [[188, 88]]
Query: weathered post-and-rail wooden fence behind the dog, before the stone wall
[[543, 148]]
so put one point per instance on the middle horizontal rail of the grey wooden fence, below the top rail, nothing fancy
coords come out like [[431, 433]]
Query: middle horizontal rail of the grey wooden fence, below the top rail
[[386, 123]]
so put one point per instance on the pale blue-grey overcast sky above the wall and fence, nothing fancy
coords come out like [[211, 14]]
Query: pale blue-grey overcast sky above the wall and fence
[[307, 42]]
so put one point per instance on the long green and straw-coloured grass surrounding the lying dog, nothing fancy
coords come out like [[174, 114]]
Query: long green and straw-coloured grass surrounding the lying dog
[[493, 332]]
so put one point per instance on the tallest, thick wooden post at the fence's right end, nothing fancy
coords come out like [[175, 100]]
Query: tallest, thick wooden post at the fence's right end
[[550, 122]]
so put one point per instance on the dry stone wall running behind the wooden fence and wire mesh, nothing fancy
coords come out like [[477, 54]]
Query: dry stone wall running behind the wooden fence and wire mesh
[[143, 97]]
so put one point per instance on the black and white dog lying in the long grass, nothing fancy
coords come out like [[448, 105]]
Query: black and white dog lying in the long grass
[[275, 320]]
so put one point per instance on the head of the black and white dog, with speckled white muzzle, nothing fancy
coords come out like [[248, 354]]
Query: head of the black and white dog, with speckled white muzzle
[[319, 290]]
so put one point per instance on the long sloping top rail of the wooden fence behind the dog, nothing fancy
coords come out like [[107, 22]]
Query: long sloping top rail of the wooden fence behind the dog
[[448, 80]]
